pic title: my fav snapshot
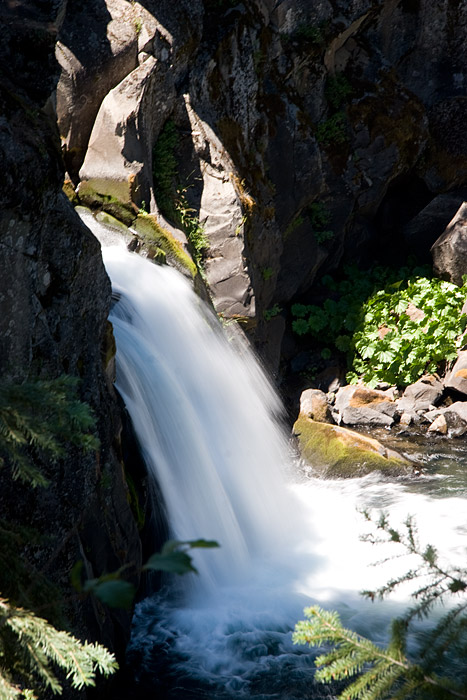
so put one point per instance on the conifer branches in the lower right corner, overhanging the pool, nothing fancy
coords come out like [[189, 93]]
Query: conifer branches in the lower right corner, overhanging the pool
[[436, 669]]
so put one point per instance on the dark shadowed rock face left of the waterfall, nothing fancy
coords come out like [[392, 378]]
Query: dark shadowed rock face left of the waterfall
[[54, 301]]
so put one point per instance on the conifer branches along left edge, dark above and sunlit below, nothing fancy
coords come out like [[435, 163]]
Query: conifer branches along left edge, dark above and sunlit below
[[39, 420]]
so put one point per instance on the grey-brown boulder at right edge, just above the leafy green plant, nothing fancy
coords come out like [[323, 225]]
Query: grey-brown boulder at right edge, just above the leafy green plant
[[450, 250]]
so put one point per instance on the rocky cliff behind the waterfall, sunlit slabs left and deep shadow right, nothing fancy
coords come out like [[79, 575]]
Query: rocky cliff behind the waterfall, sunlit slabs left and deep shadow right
[[308, 133]]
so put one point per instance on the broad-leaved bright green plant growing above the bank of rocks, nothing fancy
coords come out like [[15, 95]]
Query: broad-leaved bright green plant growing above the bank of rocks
[[393, 334]]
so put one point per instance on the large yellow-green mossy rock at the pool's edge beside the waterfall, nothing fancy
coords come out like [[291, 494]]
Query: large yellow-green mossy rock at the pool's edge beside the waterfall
[[337, 452]]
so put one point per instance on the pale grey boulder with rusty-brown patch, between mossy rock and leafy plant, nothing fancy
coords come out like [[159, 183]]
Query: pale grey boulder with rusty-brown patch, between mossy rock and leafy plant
[[359, 405]]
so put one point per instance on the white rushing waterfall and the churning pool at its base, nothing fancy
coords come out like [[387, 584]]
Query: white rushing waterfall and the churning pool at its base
[[208, 424]]
